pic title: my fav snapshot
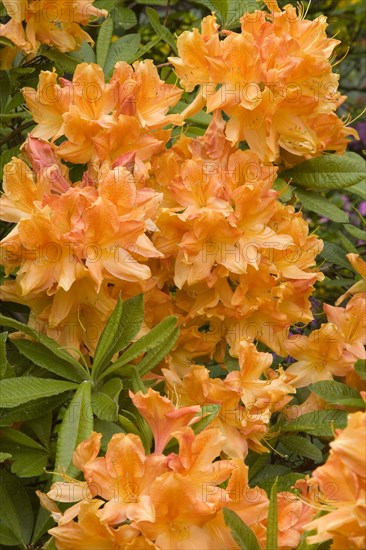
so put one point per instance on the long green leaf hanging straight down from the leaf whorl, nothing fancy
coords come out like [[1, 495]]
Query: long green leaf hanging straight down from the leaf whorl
[[76, 426]]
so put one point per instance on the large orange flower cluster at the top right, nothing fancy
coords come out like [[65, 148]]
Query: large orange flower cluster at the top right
[[274, 80]]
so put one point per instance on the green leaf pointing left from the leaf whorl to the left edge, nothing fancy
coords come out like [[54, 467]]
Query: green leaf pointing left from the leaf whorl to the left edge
[[16, 391]]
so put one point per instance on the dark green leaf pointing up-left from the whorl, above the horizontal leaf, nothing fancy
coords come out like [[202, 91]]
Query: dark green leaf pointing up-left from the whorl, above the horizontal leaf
[[43, 357]]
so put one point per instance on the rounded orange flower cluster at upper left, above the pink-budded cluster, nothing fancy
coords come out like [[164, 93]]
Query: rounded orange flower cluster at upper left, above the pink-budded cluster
[[100, 120]]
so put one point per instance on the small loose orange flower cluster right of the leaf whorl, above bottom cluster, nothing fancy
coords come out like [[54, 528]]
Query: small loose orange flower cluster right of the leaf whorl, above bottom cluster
[[246, 398]]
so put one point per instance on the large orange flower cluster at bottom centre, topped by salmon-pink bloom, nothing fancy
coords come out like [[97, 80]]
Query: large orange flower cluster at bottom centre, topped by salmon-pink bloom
[[129, 496]]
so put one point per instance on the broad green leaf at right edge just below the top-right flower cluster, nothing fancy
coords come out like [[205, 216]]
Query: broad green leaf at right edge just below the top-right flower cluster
[[328, 172]]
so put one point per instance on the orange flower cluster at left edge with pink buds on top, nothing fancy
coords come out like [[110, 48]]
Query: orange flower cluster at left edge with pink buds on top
[[72, 243]]
